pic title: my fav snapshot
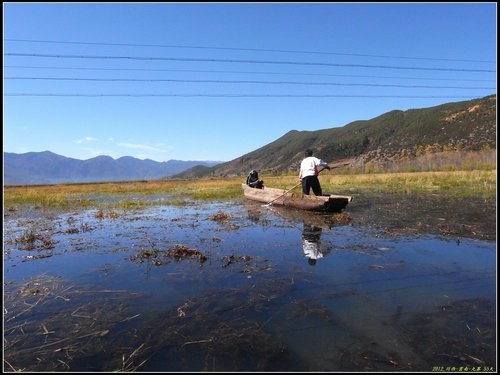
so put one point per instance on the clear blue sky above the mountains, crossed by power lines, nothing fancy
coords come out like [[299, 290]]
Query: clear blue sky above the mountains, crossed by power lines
[[214, 81]]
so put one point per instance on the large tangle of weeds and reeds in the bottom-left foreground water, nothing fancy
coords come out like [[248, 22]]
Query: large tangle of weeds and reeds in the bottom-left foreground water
[[50, 326]]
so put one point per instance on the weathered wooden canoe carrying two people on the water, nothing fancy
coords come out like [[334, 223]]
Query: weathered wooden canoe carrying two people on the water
[[280, 197]]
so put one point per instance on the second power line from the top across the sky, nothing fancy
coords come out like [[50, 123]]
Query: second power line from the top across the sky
[[190, 59]]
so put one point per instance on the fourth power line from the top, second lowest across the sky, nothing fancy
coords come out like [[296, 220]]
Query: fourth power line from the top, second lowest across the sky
[[241, 82]]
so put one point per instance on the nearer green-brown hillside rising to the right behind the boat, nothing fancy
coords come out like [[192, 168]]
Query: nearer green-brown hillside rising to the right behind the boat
[[466, 125]]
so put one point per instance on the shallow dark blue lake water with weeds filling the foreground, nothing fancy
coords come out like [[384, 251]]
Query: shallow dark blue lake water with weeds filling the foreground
[[241, 286]]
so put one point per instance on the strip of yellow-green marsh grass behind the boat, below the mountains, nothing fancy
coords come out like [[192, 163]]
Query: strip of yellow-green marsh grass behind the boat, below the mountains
[[138, 194]]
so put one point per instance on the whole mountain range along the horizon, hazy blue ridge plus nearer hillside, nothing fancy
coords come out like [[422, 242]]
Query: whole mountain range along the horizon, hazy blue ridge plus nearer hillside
[[392, 136]]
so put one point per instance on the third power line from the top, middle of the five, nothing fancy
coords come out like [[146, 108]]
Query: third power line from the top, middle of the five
[[243, 72]]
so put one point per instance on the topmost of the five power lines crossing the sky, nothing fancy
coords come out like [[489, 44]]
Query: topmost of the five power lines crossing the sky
[[242, 49]]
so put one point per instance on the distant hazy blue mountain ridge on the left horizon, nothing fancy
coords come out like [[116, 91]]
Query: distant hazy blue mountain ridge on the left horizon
[[49, 168]]
